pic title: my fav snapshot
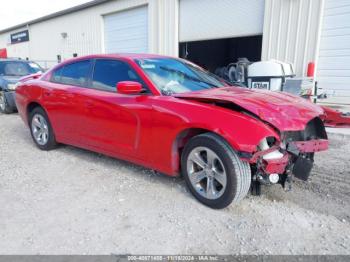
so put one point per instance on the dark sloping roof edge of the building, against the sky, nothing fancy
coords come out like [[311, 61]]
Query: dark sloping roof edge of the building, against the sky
[[56, 14]]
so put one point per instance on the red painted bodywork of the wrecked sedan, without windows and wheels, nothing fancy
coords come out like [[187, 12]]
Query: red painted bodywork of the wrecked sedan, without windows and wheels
[[150, 129]]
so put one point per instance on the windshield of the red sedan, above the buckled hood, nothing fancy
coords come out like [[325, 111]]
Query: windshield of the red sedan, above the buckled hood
[[173, 76]]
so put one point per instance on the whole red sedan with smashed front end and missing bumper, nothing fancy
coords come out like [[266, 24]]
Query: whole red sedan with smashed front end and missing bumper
[[172, 116]]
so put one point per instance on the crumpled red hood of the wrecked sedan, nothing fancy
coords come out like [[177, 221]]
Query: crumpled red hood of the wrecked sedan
[[282, 110]]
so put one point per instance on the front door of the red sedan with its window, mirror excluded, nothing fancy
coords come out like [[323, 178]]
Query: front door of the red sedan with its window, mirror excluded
[[116, 123]]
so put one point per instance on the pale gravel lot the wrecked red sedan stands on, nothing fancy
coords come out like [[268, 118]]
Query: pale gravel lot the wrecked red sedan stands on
[[71, 201]]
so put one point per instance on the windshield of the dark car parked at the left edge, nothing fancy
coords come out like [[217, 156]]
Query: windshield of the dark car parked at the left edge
[[18, 68]]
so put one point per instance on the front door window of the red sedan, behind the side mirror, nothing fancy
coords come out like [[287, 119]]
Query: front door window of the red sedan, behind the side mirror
[[107, 73]]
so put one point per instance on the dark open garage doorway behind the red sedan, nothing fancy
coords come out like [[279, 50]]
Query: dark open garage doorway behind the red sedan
[[212, 54]]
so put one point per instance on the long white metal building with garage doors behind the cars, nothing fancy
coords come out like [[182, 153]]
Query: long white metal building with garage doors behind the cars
[[211, 33]]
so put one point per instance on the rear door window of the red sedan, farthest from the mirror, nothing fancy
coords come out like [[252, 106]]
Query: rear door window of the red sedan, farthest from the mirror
[[76, 74]]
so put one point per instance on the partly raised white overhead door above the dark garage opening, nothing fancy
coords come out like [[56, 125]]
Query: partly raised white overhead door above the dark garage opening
[[208, 19]]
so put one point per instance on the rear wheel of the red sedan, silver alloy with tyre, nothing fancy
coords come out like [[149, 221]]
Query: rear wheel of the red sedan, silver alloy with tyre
[[41, 129]]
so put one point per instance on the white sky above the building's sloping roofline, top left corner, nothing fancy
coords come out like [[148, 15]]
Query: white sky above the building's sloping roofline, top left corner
[[13, 12]]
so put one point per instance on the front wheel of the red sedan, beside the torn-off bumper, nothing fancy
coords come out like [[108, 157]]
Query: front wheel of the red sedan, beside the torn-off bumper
[[213, 172]]
